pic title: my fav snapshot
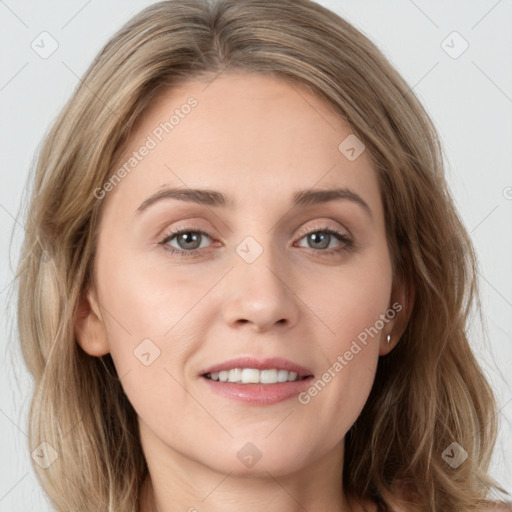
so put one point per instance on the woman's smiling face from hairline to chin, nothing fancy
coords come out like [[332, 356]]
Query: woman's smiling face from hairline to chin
[[238, 165]]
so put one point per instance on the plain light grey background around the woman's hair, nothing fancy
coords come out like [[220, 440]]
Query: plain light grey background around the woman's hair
[[468, 97]]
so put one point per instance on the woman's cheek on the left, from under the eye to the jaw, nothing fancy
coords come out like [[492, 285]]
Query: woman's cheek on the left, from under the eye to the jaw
[[153, 319]]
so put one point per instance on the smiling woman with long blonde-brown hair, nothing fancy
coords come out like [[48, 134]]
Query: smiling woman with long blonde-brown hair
[[244, 280]]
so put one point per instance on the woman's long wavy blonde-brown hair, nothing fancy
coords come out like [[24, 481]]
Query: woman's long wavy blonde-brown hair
[[429, 391]]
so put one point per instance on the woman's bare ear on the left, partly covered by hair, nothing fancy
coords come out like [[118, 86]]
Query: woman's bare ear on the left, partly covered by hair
[[90, 330]]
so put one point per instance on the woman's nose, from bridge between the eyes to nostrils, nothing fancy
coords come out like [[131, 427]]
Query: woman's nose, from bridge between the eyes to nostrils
[[258, 291]]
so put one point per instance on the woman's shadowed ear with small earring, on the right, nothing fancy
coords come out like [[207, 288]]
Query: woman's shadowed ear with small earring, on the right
[[402, 296]]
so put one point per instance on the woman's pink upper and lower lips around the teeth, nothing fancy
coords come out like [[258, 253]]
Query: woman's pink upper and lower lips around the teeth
[[258, 394]]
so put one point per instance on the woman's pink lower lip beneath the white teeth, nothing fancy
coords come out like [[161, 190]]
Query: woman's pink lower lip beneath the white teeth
[[259, 394]]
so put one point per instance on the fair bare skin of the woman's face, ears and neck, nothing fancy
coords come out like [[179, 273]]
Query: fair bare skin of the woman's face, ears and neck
[[258, 139]]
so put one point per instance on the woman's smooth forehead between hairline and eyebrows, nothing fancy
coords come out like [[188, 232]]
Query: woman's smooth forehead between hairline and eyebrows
[[254, 136]]
